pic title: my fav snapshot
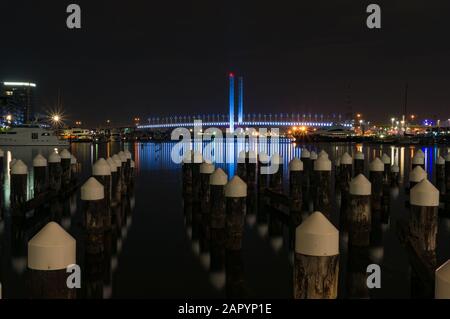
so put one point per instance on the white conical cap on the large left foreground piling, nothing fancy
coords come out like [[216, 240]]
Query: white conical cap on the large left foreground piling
[[52, 248]]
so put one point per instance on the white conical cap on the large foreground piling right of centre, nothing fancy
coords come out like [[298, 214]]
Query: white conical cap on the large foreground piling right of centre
[[316, 236]]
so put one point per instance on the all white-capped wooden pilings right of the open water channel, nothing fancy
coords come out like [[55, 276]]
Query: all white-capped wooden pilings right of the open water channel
[[364, 200]]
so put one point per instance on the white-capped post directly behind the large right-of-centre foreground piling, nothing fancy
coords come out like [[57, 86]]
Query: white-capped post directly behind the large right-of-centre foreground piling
[[322, 193]]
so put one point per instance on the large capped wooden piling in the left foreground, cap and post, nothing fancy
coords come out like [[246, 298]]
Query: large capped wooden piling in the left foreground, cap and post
[[50, 252]]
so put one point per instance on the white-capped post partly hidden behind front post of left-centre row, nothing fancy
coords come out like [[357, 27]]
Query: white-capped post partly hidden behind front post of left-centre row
[[101, 170]]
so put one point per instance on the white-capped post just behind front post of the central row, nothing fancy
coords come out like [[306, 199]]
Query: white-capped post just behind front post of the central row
[[217, 181]]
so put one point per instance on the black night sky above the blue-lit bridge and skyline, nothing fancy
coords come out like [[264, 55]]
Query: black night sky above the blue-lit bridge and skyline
[[156, 58]]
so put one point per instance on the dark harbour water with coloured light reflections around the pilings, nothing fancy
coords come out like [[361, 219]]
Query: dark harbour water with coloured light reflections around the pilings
[[158, 252]]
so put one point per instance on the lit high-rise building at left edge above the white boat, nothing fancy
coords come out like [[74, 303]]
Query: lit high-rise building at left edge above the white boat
[[17, 102]]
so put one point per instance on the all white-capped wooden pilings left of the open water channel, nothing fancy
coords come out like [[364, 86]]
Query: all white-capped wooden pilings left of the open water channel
[[52, 251]]
